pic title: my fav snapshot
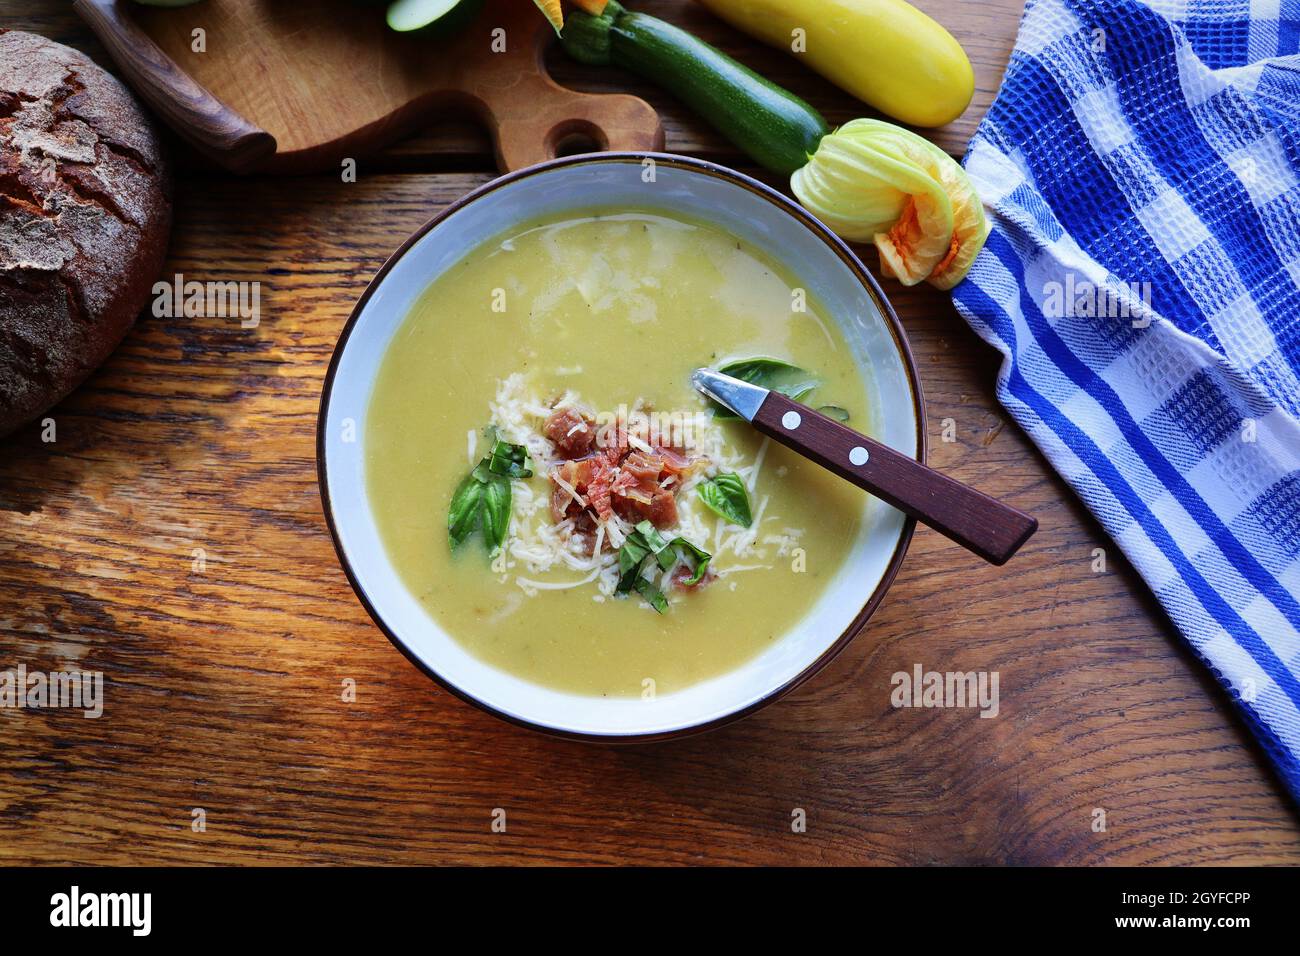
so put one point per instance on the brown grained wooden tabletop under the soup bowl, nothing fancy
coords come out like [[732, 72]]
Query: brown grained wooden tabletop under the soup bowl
[[226, 676]]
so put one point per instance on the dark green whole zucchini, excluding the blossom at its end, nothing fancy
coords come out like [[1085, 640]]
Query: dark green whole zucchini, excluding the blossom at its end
[[775, 128]]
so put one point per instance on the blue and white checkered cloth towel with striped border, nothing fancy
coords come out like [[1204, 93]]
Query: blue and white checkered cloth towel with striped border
[[1142, 171]]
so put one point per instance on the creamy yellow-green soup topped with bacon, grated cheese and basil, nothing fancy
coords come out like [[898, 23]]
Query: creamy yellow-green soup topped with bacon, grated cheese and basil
[[561, 500]]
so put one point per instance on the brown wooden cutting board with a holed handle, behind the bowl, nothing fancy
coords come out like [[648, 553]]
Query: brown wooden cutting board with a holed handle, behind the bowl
[[294, 86]]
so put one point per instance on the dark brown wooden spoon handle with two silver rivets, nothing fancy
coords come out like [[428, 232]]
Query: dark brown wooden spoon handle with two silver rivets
[[983, 525]]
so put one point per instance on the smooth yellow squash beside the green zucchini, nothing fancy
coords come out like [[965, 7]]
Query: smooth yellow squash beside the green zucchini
[[886, 53]]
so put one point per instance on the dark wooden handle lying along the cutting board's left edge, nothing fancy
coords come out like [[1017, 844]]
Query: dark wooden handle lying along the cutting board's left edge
[[189, 109]]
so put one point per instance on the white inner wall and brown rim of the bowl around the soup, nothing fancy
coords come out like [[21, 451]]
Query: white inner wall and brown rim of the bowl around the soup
[[703, 191]]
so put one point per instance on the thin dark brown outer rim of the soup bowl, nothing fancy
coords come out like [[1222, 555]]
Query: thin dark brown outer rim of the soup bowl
[[813, 226]]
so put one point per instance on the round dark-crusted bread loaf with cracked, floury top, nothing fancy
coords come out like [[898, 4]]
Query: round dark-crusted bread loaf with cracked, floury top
[[85, 214]]
